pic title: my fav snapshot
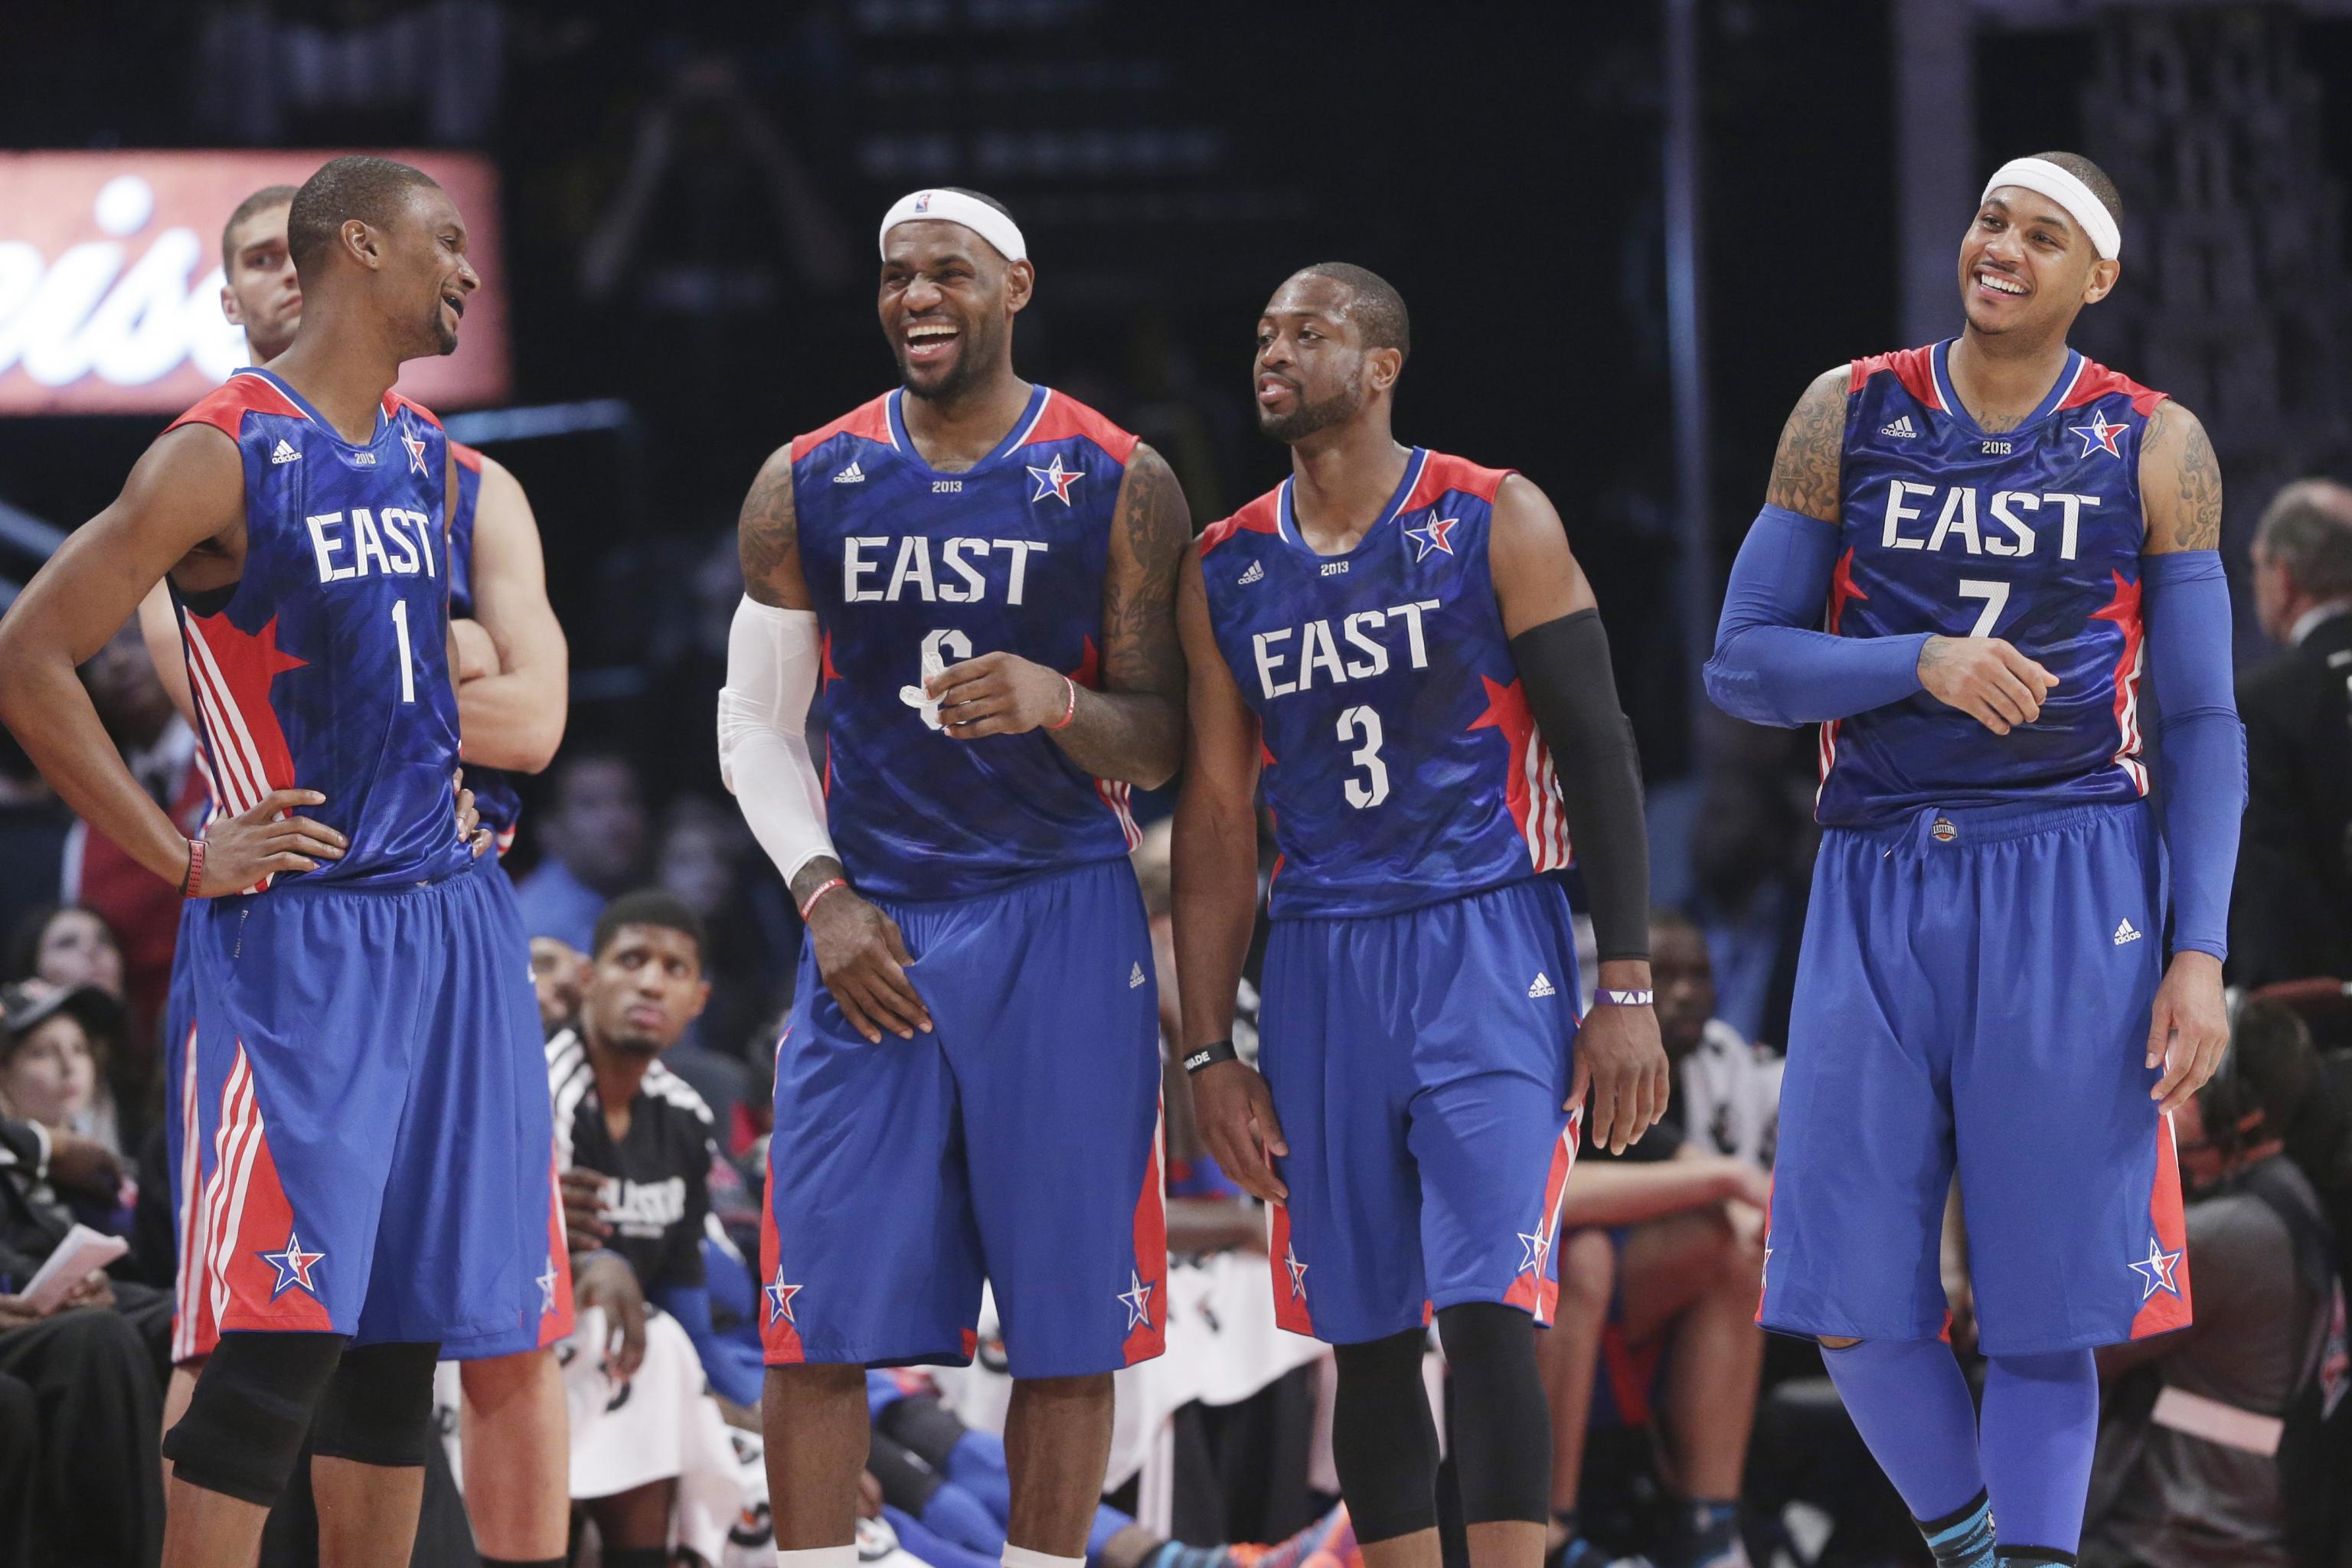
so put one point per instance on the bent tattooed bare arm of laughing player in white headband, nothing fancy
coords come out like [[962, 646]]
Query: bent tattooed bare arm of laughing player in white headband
[[1135, 725]]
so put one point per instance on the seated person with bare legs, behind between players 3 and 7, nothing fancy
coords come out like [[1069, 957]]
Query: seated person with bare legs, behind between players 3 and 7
[[1659, 1264]]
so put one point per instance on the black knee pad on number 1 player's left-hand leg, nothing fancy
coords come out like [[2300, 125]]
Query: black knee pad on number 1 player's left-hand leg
[[250, 1412]]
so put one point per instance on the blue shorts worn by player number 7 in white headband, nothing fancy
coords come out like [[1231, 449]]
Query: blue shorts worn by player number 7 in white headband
[[1975, 996]]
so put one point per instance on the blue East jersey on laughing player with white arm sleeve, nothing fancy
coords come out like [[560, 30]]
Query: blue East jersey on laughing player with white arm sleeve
[[916, 570]]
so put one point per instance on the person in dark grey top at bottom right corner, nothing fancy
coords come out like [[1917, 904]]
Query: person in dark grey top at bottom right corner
[[2203, 1426]]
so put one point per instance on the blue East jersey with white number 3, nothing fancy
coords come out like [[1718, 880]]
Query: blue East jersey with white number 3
[[1403, 763]]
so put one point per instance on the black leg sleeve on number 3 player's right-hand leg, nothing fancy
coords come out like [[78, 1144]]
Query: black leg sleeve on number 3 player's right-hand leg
[[1502, 1426]]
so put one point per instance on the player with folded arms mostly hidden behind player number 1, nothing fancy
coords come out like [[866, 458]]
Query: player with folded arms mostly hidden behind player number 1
[[512, 711]]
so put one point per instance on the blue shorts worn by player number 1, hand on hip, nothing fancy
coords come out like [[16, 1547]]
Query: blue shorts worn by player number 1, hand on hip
[[366, 1139]]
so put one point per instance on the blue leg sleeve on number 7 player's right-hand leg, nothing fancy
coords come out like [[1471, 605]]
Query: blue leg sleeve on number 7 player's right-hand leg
[[2040, 1430]]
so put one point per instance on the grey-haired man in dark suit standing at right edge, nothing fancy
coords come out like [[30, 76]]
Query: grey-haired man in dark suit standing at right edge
[[2292, 906]]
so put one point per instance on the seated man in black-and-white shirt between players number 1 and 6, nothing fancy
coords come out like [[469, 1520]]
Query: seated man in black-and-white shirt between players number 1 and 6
[[636, 1148]]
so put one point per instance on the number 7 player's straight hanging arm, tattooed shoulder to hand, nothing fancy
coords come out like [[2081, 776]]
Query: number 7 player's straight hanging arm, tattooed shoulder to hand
[[2200, 746]]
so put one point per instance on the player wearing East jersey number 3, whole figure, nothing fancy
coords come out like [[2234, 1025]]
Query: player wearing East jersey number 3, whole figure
[[1410, 655]]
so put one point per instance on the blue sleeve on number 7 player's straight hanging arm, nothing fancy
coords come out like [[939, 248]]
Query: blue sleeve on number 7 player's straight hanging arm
[[2200, 744]]
